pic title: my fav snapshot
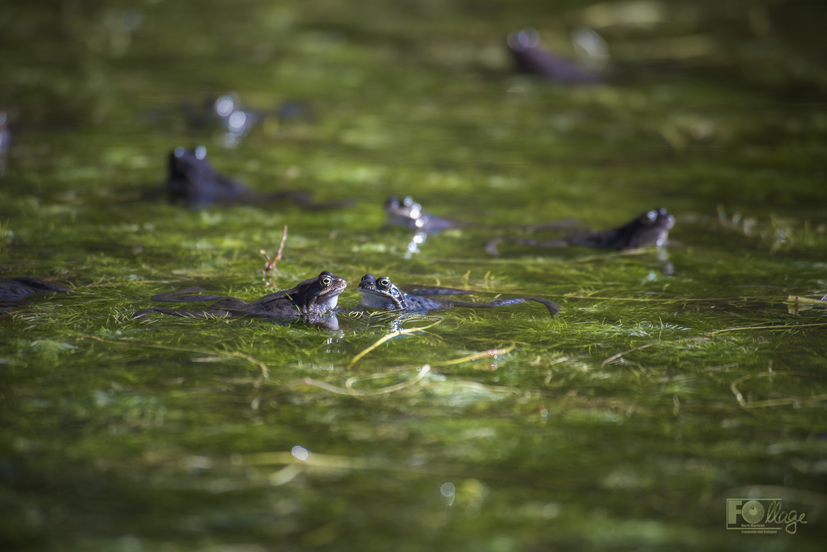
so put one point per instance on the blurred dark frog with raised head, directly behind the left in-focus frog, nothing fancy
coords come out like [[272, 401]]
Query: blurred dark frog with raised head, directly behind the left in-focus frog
[[193, 180]]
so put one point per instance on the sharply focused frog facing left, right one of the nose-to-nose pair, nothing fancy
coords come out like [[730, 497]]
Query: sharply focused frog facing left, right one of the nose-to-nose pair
[[381, 293]]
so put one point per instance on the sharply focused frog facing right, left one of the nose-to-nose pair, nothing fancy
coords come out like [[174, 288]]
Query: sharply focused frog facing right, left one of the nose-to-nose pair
[[309, 301]]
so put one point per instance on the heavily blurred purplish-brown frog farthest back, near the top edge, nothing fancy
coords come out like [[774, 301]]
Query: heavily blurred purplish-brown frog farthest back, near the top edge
[[530, 57]]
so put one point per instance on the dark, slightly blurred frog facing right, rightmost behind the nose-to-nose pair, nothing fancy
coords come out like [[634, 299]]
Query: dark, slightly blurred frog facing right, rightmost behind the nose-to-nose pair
[[651, 227]]
